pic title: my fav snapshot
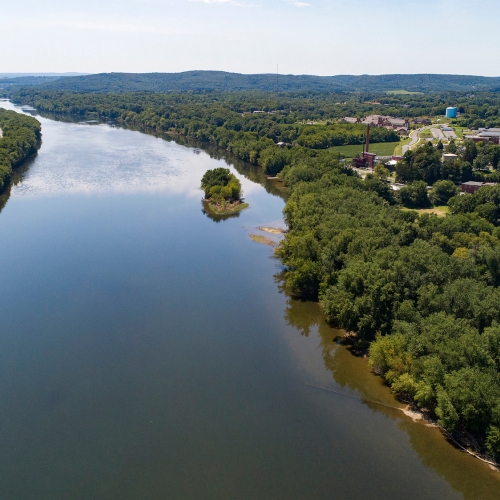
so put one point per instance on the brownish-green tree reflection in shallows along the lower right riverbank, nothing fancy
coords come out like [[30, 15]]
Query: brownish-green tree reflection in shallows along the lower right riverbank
[[350, 375]]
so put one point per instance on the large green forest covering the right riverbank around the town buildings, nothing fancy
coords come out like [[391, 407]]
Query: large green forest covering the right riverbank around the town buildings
[[419, 292]]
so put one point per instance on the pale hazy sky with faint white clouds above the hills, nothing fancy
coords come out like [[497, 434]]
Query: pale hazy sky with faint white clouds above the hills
[[323, 37]]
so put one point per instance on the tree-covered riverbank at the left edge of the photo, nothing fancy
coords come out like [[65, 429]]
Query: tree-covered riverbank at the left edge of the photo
[[21, 138]]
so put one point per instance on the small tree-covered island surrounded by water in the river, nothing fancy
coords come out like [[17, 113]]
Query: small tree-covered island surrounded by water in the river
[[222, 191]]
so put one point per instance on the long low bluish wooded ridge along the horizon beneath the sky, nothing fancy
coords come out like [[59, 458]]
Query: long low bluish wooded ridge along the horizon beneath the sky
[[222, 81]]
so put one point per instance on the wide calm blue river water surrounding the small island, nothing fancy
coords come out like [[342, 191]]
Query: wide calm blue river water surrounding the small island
[[146, 351]]
